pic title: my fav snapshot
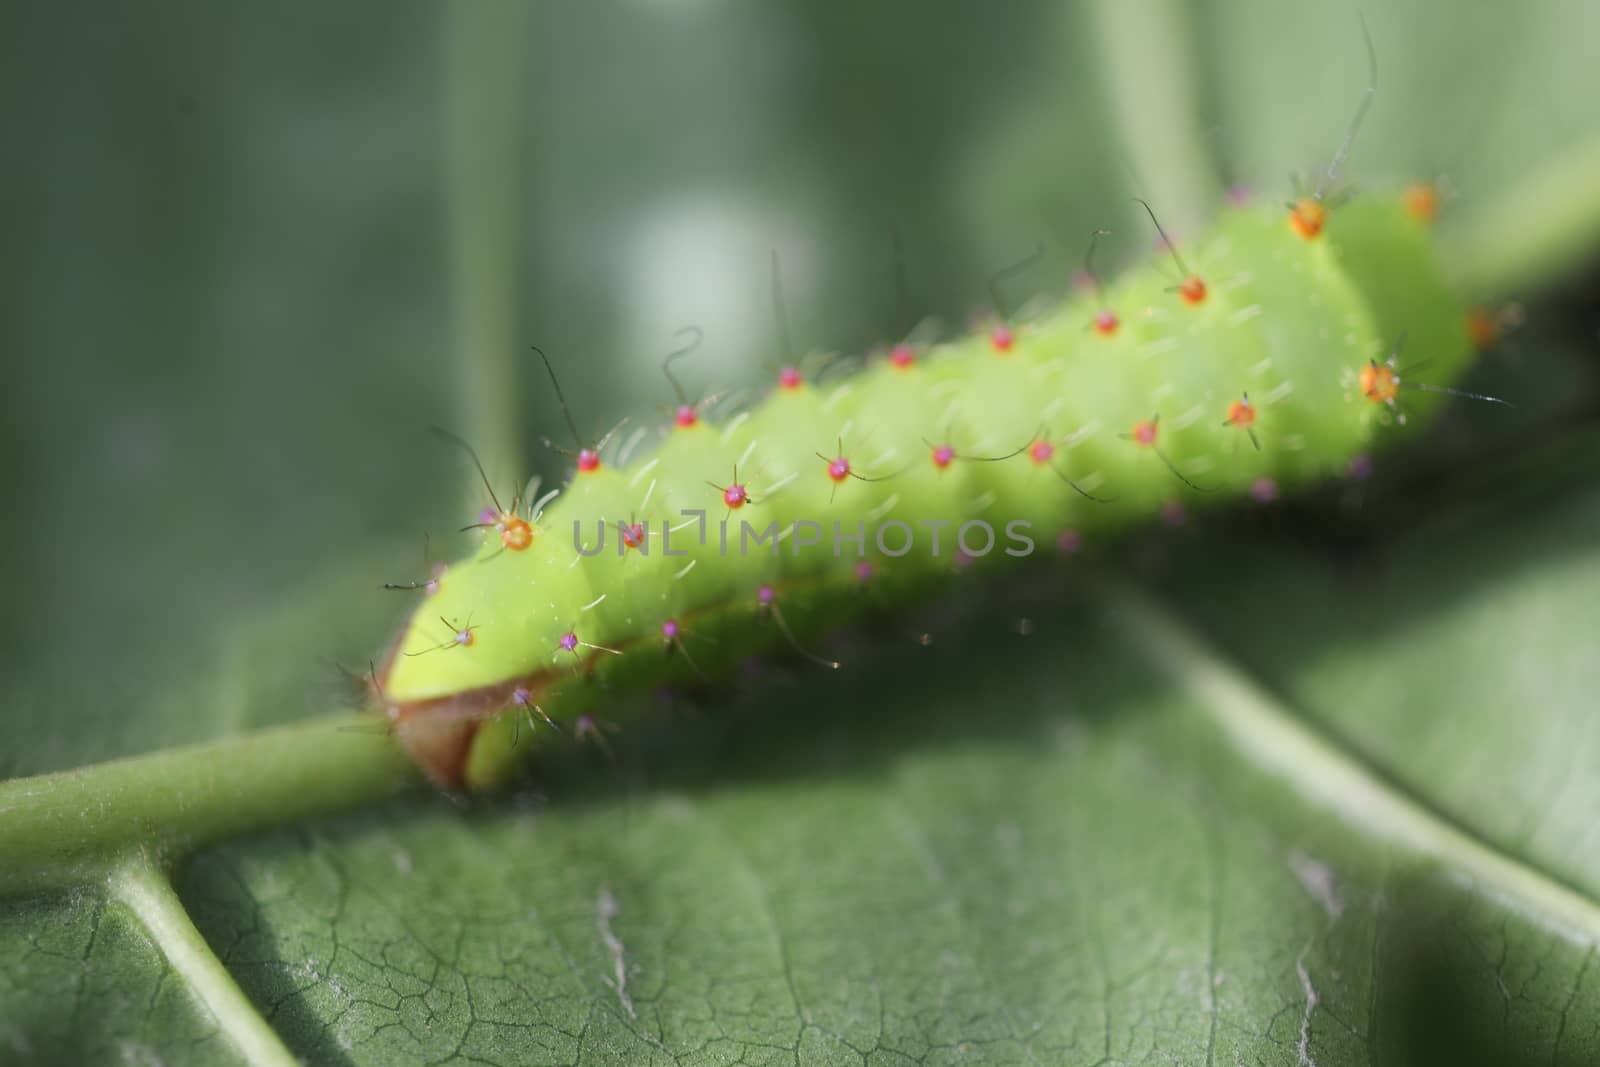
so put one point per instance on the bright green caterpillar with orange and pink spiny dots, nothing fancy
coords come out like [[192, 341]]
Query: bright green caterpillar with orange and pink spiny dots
[[1076, 434]]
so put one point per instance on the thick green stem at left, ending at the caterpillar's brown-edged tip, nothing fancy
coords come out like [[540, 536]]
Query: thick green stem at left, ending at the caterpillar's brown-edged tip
[[71, 828]]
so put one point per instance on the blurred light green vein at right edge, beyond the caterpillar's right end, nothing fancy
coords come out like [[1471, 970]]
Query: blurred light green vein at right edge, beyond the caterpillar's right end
[[1537, 231]]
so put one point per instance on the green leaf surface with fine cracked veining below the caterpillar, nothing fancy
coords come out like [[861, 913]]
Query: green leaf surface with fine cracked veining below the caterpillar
[[1106, 842]]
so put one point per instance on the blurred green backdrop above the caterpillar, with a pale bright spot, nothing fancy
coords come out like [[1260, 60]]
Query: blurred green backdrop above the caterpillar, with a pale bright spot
[[231, 231]]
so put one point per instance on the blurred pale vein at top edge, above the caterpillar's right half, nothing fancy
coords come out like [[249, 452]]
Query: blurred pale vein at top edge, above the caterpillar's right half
[[1148, 62]]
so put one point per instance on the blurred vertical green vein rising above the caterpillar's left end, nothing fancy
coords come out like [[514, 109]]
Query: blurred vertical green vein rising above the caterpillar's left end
[[487, 86]]
